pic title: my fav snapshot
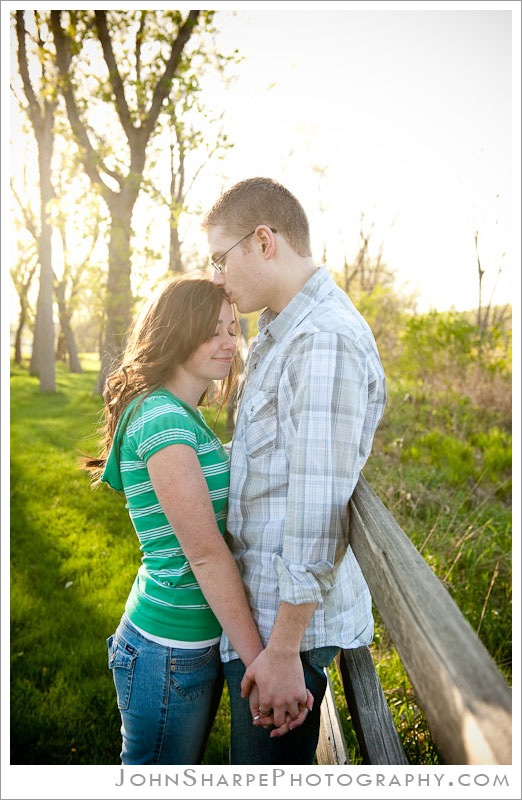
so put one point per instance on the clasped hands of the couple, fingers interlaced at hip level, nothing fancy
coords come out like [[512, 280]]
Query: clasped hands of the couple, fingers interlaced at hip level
[[277, 693]]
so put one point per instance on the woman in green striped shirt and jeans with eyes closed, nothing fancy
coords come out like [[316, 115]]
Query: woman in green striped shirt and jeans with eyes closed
[[174, 472]]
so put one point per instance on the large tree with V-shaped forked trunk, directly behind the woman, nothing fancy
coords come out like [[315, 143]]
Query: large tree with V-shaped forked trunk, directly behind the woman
[[142, 52]]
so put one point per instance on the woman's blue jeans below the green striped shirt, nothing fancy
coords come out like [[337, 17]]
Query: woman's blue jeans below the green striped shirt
[[167, 697]]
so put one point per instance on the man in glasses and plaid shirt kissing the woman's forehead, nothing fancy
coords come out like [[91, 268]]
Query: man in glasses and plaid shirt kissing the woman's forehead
[[313, 396]]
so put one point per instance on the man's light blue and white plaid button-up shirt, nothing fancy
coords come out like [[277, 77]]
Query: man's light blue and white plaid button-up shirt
[[313, 396]]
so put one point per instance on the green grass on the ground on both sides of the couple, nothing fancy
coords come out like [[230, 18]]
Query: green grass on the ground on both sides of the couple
[[74, 556]]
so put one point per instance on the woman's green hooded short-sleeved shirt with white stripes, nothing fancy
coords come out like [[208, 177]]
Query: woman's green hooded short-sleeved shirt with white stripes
[[165, 599]]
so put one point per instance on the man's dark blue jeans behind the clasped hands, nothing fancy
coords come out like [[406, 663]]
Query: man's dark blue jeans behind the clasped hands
[[253, 745]]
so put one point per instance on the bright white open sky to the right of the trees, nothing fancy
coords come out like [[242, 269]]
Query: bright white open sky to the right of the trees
[[408, 113]]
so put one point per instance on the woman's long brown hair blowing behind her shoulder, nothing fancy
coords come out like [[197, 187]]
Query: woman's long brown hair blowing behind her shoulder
[[170, 329]]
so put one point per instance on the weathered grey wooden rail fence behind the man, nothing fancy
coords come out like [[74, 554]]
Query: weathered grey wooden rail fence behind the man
[[464, 697]]
